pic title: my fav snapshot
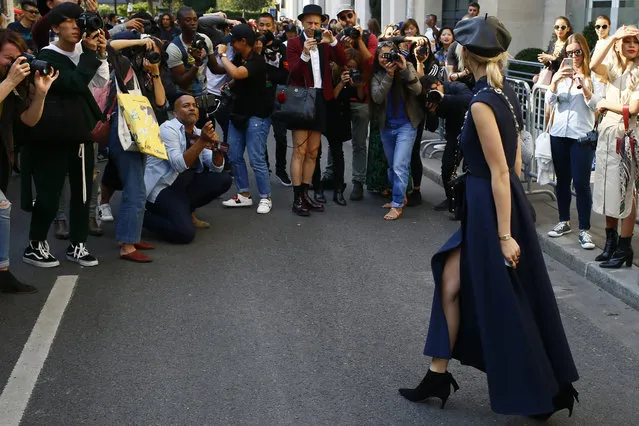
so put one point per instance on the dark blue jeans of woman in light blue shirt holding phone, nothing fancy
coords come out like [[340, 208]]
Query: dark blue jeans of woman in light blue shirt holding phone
[[573, 164]]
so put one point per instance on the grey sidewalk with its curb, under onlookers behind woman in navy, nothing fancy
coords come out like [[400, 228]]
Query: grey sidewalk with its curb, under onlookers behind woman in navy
[[622, 283]]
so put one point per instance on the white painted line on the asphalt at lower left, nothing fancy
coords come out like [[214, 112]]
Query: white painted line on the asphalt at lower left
[[17, 392]]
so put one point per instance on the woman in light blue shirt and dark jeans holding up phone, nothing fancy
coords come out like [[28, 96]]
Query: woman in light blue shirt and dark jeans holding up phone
[[571, 94]]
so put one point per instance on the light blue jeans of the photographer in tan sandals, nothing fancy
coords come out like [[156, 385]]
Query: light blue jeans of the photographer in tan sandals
[[398, 143]]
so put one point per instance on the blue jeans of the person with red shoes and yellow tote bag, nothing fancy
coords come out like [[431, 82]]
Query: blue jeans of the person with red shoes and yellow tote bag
[[130, 165]]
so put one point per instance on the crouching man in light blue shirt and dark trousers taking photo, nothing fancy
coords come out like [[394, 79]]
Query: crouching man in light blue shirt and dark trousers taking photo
[[192, 176]]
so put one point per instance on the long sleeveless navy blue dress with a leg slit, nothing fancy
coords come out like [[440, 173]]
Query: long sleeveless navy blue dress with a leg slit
[[510, 326]]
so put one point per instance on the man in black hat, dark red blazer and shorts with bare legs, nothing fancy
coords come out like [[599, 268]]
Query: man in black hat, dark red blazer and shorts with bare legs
[[309, 66]]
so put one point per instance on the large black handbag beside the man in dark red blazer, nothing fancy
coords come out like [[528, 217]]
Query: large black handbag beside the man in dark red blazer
[[294, 104]]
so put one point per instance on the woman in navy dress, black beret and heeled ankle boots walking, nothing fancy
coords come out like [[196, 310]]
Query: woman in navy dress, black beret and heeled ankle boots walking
[[494, 307]]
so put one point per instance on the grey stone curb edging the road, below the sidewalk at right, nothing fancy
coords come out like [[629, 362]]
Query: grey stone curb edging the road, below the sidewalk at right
[[621, 283]]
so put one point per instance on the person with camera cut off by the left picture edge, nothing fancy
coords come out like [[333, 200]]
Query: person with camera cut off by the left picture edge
[[14, 69]]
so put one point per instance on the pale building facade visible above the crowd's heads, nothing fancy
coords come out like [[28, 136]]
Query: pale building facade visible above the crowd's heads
[[529, 21]]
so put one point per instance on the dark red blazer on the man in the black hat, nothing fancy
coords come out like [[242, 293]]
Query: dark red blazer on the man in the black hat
[[300, 71]]
